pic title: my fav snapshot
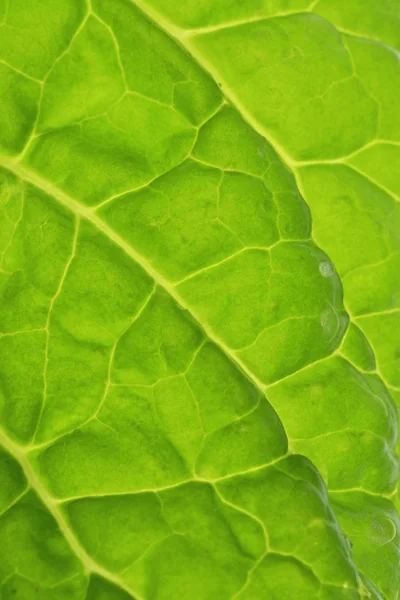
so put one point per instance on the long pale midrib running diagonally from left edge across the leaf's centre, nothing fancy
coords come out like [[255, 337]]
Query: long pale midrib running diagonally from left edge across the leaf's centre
[[90, 215]]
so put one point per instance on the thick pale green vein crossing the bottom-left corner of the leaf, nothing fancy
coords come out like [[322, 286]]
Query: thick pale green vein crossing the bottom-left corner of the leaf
[[54, 508]]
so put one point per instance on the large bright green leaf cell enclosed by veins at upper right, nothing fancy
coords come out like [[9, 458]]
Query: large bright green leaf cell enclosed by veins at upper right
[[263, 62]]
